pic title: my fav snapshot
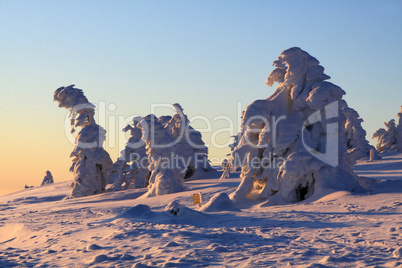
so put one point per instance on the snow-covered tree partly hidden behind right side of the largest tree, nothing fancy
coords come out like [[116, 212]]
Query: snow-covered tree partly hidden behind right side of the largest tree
[[357, 145]]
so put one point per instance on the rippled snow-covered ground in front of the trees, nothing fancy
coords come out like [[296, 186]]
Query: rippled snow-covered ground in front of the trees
[[39, 229]]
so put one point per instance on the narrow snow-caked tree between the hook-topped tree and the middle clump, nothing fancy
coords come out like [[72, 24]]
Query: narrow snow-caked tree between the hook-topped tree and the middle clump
[[132, 166]]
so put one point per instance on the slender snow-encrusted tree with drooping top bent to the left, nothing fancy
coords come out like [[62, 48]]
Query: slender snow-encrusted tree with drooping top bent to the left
[[90, 161]]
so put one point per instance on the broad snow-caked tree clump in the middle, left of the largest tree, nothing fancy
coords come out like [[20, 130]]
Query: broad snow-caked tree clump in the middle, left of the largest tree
[[175, 151]]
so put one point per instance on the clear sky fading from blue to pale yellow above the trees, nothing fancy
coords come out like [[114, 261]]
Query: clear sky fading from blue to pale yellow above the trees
[[206, 55]]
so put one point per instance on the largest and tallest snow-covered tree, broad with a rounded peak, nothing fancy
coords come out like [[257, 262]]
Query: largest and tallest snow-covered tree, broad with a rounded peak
[[279, 144]]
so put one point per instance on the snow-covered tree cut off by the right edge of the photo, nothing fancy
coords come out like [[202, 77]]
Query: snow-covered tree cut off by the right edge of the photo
[[390, 139]]
